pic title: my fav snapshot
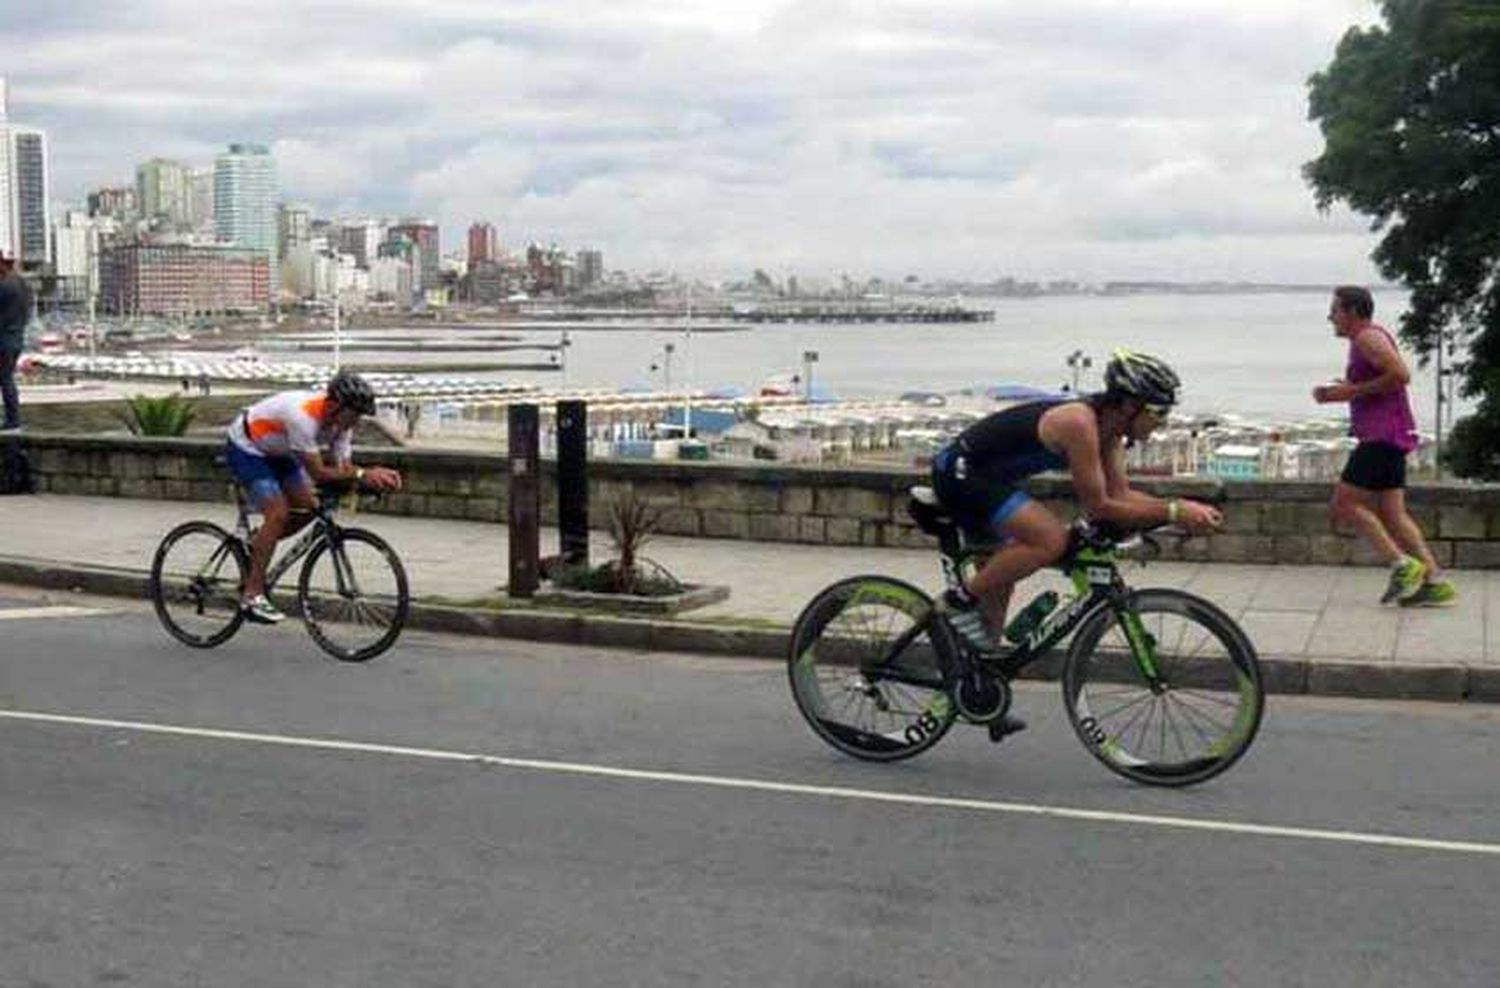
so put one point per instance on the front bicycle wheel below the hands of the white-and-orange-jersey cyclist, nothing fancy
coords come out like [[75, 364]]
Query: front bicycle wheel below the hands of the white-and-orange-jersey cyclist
[[322, 606]]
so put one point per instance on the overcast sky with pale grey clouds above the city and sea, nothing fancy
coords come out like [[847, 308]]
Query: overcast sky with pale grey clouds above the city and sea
[[1034, 139]]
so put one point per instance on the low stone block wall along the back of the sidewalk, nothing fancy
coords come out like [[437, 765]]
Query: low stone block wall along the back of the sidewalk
[[1265, 521]]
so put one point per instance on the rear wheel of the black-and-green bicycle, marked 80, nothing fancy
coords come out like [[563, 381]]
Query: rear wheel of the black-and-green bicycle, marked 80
[[848, 704]]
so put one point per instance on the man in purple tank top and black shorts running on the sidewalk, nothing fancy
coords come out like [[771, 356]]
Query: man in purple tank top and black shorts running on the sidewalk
[[1372, 493]]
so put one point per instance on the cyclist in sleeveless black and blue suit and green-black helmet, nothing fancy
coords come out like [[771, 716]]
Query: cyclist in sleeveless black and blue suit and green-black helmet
[[977, 478]]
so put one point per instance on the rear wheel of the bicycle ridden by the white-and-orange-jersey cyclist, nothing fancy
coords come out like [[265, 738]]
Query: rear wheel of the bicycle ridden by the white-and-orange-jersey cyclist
[[200, 590]]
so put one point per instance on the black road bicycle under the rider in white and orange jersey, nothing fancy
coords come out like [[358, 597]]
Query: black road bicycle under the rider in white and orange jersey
[[352, 591]]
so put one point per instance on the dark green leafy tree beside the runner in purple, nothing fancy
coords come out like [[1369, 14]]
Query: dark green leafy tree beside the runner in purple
[[1411, 119]]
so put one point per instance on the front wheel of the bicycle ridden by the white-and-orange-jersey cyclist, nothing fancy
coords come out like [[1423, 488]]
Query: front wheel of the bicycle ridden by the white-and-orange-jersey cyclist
[[353, 594]]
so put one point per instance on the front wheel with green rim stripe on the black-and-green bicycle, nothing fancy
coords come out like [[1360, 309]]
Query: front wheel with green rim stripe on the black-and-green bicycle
[[1208, 702]]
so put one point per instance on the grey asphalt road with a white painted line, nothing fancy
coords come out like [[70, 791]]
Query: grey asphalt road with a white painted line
[[505, 813]]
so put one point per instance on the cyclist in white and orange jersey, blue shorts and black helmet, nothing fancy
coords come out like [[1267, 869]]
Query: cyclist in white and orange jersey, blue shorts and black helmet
[[277, 454]]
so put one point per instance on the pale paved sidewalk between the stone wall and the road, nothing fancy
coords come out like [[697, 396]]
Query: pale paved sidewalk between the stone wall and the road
[[1312, 614]]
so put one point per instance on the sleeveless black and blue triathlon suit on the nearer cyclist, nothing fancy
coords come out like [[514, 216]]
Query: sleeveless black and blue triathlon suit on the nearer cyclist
[[977, 476]]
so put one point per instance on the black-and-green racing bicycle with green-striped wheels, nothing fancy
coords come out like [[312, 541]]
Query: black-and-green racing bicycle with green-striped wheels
[[1162, 686]]
